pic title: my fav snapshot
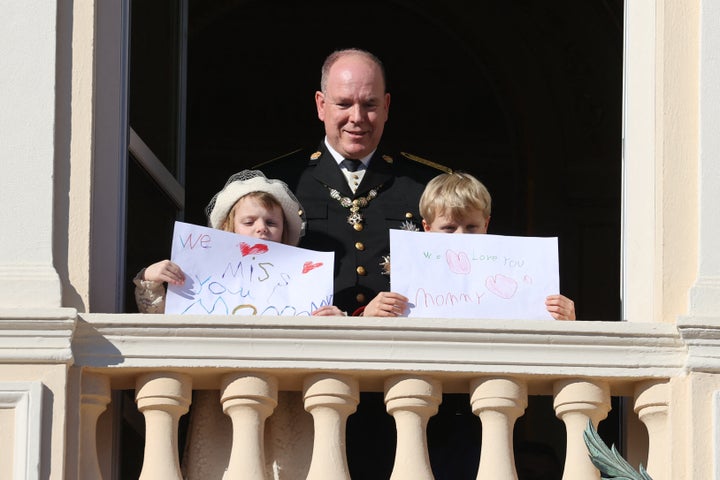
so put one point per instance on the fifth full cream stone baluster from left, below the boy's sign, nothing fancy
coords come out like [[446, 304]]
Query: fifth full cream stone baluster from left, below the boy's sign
[[498, 402]]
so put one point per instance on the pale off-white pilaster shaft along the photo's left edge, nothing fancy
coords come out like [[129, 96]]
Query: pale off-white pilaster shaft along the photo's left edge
[[27, 154]]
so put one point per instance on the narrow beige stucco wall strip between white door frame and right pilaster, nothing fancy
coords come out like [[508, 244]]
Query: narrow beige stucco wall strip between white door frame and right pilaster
[[677, 154]]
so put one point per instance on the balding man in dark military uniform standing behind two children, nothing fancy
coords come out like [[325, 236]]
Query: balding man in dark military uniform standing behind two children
[[352, 192]]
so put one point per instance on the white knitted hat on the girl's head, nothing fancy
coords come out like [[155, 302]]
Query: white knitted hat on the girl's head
[[248, 181]]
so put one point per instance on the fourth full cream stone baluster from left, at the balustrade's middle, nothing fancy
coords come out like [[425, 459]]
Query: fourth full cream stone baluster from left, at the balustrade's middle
[[412, 400]]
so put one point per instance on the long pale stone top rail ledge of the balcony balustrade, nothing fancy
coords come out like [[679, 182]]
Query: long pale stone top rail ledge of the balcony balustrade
[[460, 347]]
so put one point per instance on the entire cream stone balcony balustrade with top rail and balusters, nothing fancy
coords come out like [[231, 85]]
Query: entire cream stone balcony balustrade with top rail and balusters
[[330, 361]]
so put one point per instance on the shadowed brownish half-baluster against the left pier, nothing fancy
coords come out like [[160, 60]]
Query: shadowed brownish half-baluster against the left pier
[[94, 399]]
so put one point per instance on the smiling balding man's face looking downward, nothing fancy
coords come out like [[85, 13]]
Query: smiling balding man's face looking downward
[[355, 106]]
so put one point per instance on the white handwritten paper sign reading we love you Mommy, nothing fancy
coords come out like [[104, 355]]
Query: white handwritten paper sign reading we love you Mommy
[[474, 276]]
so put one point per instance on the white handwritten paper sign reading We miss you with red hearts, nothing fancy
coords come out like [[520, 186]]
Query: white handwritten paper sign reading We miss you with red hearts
[[230, 274]]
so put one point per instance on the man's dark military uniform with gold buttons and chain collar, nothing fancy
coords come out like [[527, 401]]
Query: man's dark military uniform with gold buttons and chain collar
[[390, 190]]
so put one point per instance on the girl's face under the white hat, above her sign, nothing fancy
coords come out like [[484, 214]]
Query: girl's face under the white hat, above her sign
[[253, 219]]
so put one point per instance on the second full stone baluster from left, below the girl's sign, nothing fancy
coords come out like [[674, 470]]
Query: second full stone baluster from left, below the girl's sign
[[248, 399]]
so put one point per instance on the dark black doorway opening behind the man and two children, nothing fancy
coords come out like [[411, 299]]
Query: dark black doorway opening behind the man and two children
[[527, 96]]
